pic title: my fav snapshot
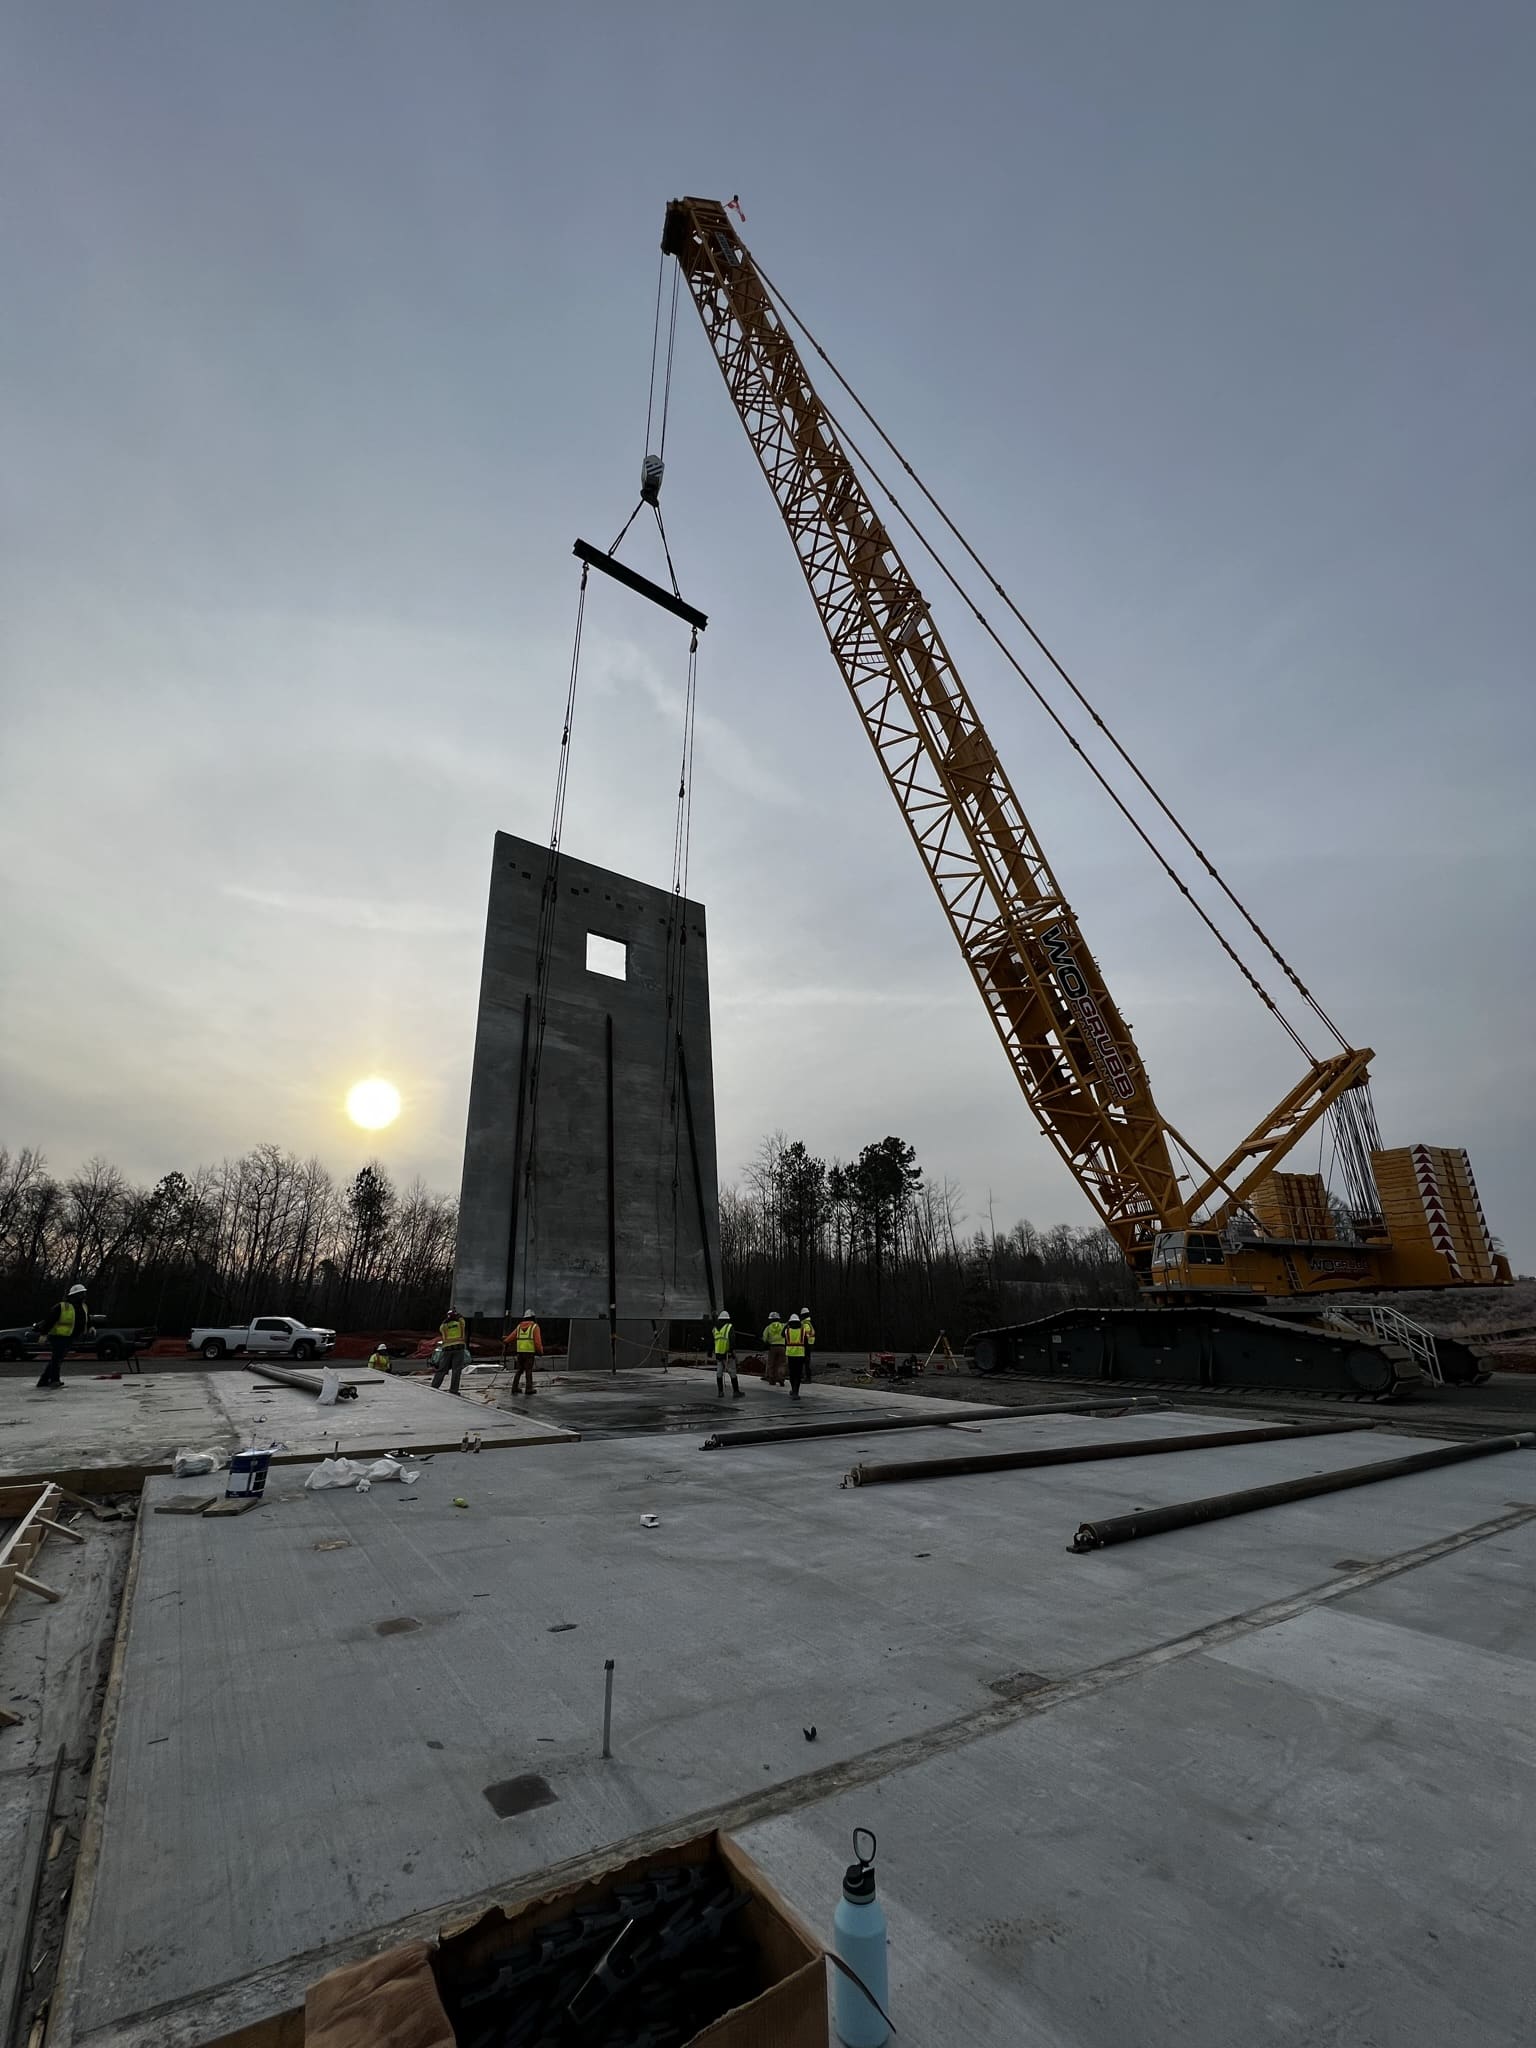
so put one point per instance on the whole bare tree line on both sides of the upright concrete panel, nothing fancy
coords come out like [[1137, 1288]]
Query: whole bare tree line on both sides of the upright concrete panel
[[876, 1246]]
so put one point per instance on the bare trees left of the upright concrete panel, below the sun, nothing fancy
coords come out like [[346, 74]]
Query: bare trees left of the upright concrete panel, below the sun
[[253, 1236]]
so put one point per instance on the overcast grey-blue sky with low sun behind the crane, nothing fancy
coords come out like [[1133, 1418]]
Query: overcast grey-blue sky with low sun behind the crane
[[327, 329]]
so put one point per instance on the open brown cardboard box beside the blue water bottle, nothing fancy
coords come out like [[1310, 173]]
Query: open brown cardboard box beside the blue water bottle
[[392, 2002]]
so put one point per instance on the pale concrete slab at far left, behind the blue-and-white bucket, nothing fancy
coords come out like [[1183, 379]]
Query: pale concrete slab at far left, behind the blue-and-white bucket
[[134, 1424]]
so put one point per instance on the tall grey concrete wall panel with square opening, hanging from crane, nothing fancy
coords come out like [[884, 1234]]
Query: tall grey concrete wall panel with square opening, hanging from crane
[[626, 996]]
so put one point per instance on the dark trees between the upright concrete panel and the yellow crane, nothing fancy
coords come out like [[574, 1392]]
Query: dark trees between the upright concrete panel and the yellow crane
[[880, 1252]]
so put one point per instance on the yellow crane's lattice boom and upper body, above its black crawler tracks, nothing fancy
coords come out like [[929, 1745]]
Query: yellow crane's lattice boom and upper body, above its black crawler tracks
[[1185, 1236]]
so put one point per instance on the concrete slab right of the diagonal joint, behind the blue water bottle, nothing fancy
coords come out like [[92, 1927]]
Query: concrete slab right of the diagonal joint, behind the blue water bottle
[[1320, 1832]]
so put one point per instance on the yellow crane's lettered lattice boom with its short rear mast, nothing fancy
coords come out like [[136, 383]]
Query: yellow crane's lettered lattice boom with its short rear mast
[[1066, 1039]]
